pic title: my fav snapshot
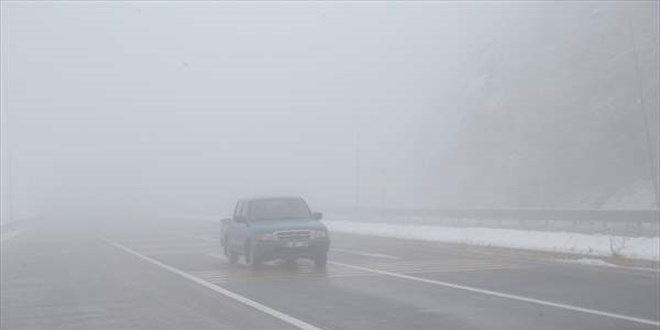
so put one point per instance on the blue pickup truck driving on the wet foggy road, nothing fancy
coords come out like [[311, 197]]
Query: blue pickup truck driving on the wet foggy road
[[264, 229]]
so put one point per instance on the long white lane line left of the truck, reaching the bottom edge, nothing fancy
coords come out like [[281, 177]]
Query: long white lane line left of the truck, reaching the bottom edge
[[213, 287]]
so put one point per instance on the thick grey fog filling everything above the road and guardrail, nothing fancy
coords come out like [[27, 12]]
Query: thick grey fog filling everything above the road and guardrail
[[172, 107]]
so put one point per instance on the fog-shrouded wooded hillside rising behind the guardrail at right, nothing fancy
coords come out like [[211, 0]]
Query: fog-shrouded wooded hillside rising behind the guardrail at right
[[554, 114]]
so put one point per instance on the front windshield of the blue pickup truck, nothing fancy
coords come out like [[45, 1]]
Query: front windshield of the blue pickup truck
[[274, 209]]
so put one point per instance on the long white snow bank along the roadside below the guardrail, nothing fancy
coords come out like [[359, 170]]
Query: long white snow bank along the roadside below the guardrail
[[647, 248]]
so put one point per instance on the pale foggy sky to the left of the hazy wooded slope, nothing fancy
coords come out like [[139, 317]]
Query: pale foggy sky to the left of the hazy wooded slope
[[189, 106]]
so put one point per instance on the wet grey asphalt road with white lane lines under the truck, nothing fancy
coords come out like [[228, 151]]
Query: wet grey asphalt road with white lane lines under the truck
[[172, 275]]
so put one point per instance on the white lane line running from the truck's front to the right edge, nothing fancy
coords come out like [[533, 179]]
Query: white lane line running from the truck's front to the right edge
[[503, 295]]
